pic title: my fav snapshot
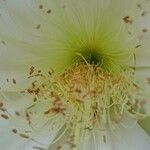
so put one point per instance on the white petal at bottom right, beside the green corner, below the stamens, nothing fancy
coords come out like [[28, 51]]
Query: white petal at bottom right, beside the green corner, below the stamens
[[124, 135]]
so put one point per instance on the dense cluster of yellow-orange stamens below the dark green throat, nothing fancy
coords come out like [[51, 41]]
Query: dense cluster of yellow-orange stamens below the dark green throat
[[87, 96]]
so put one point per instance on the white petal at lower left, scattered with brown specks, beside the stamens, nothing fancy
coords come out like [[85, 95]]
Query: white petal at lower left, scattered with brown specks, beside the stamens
[[23, 129]]
